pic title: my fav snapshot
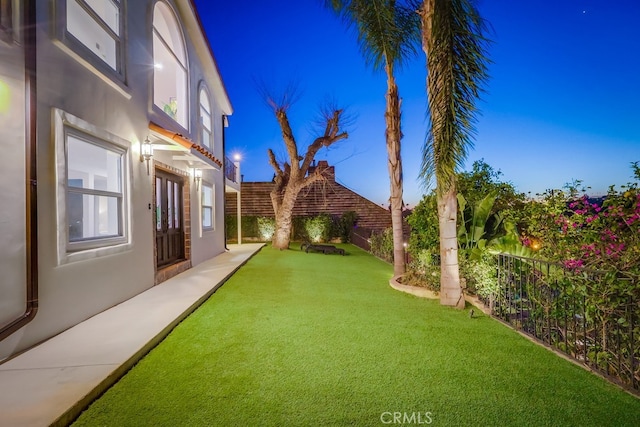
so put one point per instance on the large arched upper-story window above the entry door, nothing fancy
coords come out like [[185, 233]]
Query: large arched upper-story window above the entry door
[[170, 65]]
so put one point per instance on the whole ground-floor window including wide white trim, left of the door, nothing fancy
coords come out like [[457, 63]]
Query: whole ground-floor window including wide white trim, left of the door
[[92, 192]]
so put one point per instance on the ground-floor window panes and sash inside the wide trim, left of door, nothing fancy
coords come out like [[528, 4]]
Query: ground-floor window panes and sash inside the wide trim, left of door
[[95, 191]]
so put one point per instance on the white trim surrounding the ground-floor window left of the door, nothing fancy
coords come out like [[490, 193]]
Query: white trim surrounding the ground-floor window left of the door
[[63, 120]]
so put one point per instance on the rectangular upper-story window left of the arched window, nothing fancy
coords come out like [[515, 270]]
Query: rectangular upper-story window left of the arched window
[[97, 26]]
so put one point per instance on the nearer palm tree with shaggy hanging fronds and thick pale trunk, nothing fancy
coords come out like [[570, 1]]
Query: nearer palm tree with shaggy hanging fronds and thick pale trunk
[[456, 49]]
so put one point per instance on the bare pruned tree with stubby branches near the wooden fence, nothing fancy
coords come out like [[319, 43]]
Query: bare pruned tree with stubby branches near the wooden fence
[[293, 175]]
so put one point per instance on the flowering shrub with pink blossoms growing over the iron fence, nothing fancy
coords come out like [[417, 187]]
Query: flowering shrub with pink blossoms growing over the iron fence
[[595, 245]]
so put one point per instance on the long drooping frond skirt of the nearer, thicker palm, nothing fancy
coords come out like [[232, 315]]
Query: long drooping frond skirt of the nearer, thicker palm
[[457, 69]]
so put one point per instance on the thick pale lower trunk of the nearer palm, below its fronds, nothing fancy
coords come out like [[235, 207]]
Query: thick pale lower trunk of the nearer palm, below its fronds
[[450, 289]]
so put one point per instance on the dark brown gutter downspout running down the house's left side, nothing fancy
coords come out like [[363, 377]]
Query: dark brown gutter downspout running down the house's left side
[[31, 206]]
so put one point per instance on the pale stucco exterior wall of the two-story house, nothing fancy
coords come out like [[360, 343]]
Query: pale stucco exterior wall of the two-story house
[[73, 90]]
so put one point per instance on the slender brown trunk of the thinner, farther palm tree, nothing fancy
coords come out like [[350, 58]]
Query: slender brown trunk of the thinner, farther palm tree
[[393, 135]]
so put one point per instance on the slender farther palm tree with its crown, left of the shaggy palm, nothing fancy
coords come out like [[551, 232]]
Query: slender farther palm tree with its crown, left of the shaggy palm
[[388, 32]]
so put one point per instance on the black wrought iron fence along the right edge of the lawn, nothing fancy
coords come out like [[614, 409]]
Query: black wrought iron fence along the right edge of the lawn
[[591, 316]]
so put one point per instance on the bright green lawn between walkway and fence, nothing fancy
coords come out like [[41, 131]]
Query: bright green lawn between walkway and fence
[[295, 339]]
